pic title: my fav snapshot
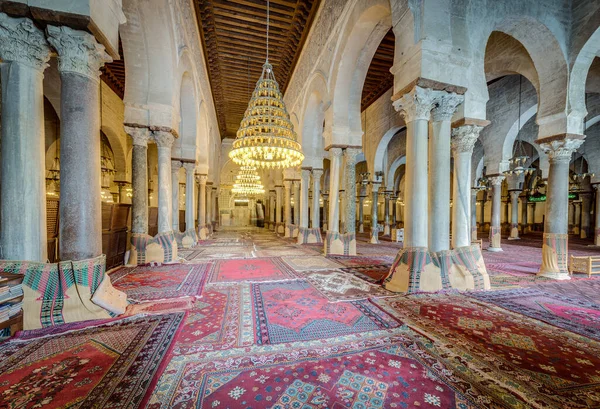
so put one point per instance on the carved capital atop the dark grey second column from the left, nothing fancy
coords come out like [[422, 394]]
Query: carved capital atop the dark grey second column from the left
[[78, 51]]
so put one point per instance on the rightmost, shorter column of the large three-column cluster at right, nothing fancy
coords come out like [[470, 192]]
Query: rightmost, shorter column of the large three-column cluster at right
[[463, 141]]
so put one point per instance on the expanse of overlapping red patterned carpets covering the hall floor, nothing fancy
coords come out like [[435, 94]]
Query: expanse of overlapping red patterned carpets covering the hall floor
[[252, 320]]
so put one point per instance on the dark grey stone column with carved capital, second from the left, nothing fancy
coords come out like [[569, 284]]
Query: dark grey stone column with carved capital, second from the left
[[79, 60]]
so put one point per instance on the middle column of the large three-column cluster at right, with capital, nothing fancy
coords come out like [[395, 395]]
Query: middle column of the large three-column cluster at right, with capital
[[439, 171]]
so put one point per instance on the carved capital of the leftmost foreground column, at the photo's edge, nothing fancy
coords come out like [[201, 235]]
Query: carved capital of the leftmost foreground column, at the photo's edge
[[21, 41]]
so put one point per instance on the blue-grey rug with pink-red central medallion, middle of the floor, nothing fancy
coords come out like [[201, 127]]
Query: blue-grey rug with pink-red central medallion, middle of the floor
[[295, 311]]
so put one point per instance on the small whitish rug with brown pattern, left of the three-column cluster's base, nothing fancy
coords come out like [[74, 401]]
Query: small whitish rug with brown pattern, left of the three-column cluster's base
[[340, 286]]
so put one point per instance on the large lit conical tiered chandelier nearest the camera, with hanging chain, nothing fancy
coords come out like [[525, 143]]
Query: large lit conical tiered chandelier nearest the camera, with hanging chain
[[266, 137]]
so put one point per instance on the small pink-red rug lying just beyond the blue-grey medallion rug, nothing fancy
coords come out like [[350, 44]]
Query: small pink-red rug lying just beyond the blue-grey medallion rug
[[250, 270]]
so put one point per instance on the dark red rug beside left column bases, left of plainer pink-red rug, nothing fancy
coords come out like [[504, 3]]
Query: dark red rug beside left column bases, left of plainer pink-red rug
[[146, 283]]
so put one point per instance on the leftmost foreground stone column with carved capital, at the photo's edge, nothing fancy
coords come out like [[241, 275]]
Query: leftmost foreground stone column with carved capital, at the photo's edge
[[24, 54]]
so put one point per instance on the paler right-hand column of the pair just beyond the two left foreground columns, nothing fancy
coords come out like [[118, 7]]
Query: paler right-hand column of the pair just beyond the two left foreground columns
[[164, 140]]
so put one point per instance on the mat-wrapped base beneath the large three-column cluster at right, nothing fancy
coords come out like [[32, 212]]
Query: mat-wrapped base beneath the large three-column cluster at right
[[418, 270]]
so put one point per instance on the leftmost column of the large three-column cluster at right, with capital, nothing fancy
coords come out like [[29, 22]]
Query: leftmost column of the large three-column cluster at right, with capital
[[415, 107]]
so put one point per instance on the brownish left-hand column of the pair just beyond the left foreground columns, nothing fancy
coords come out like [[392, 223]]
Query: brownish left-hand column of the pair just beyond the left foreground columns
[[139, 179]]
